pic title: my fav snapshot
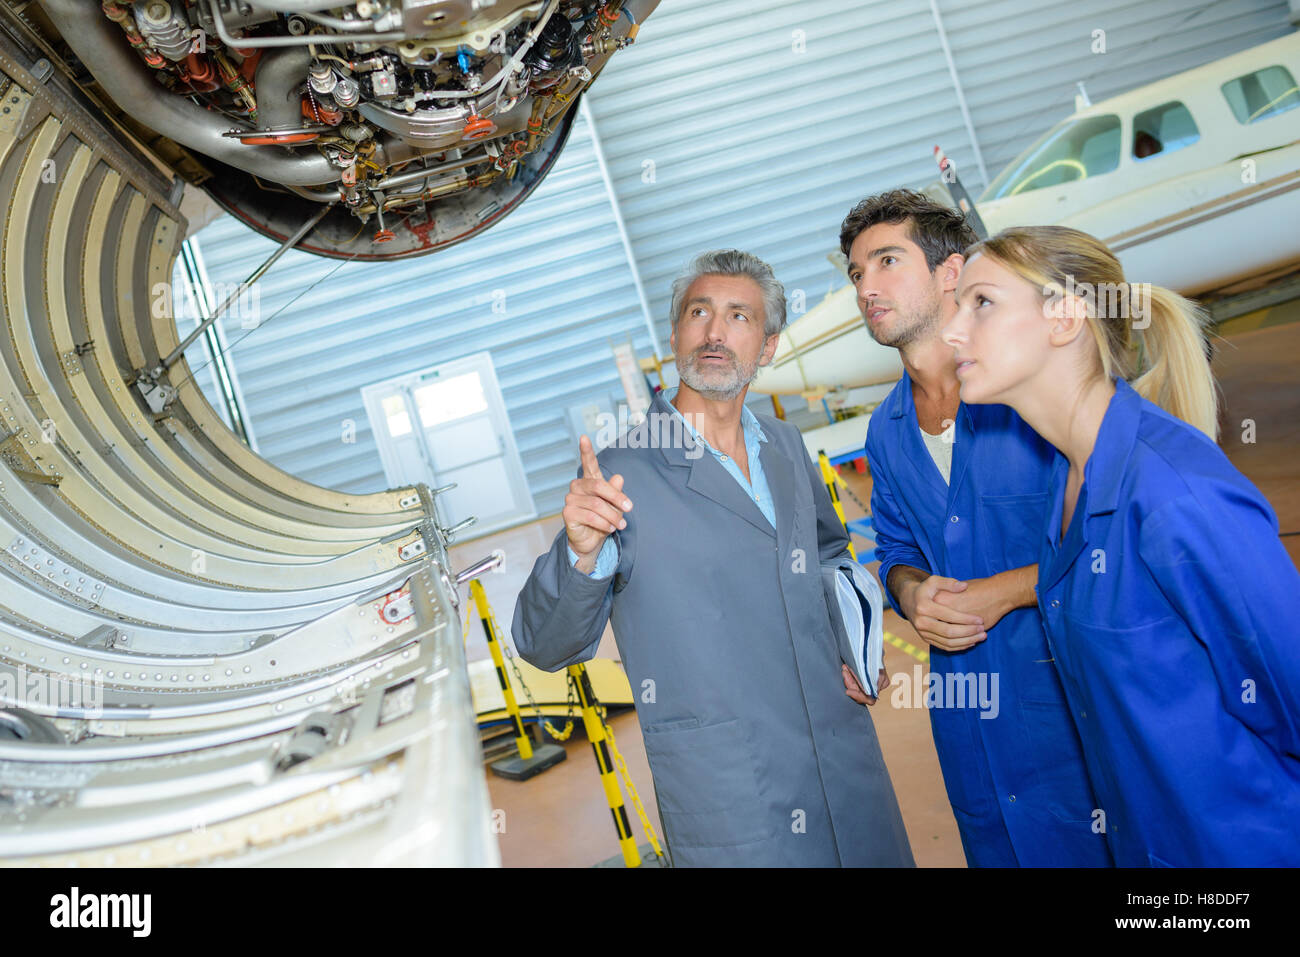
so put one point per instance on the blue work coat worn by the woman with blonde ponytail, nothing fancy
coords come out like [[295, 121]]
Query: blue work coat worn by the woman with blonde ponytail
[[1175, 614]]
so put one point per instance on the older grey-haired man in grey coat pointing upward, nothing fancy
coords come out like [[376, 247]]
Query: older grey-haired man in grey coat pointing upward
[[709, 566]]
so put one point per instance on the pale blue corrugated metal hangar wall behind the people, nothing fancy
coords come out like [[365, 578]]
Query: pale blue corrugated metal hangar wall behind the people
[[731, 123]]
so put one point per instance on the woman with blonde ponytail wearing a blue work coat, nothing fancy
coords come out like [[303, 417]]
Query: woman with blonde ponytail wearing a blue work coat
[[1172, 608]]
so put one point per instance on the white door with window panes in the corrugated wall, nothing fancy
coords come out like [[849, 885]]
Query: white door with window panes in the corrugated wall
[[448, 425]]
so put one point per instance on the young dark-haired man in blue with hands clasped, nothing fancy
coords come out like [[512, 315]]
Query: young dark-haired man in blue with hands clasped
[[959, 505]]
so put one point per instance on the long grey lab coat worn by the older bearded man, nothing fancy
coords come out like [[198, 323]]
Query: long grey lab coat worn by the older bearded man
[[759, 757]]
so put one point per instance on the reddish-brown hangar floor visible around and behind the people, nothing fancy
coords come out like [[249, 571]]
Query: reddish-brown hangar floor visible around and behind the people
[[560, 819]]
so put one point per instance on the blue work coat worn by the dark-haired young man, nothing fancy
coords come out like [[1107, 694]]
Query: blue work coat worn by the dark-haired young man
[[1017, 782]]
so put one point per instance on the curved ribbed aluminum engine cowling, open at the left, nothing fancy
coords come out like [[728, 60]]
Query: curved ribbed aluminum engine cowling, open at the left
[[240, 666]]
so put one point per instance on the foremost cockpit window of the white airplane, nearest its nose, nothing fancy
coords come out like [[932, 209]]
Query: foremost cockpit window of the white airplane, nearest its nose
[[1073, 150]]
